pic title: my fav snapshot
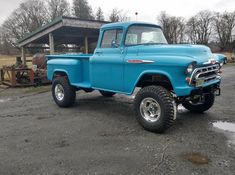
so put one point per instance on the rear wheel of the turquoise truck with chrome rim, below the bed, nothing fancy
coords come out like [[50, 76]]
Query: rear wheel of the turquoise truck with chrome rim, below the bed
[[63, 93]]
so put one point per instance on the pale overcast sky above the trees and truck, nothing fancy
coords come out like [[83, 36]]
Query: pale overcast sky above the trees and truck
[[147, 9]]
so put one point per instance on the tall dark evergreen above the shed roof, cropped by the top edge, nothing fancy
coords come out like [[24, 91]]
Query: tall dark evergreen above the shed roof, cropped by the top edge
[[82, 9]]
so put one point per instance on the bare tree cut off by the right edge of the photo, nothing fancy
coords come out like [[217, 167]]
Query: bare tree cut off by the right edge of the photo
[[224, 23]]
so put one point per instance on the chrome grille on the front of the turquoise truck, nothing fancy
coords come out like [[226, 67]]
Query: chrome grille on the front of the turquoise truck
[[207, 73]]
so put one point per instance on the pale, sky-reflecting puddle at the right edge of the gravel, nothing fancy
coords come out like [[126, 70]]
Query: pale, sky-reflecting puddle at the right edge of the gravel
[[228, 129]]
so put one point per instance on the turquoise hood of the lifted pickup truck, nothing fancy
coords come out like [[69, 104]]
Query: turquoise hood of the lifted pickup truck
[[198, 53]]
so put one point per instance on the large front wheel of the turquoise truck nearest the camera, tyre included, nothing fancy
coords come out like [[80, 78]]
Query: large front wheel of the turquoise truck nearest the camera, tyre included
[[155, 108]]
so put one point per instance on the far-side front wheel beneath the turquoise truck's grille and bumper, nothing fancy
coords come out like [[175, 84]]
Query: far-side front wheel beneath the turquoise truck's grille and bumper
[[201, 104]]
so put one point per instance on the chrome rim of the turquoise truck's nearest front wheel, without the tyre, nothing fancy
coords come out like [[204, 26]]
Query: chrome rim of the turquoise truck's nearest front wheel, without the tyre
[[150, 109]]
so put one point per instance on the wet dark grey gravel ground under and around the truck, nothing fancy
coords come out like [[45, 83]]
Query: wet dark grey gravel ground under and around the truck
[[101, 136]]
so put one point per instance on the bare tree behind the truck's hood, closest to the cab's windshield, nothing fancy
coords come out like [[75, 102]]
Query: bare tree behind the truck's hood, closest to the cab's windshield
[[173, 27]]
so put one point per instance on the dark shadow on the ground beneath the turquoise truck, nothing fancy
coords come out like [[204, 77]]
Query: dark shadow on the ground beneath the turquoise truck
[[120, 109]]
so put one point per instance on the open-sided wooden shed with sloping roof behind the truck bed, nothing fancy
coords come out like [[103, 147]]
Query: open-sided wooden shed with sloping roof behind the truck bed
[[63, 30]]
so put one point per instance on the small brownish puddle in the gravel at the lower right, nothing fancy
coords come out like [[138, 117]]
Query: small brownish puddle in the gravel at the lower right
[[196, 158]]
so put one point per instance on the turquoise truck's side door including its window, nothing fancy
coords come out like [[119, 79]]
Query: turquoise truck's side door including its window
[[106, 65]]
